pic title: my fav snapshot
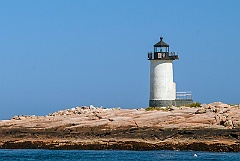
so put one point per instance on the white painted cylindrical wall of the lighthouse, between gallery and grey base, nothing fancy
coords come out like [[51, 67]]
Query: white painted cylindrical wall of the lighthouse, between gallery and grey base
[[162, 86]]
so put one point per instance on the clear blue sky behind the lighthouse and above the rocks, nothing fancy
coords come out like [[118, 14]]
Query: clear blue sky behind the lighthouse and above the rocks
[[57, 54]]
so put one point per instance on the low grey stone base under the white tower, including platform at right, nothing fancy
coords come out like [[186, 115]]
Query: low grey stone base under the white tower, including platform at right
[[167, 103]]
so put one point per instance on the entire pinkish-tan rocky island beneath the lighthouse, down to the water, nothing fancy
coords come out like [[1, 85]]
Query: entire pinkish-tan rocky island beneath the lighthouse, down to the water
[[211, 127]]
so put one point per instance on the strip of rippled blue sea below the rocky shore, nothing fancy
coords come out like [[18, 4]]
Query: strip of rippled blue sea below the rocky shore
[[105, 155]]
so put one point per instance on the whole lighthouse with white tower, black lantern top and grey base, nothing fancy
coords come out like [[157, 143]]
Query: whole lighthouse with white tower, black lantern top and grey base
[[162, 87]]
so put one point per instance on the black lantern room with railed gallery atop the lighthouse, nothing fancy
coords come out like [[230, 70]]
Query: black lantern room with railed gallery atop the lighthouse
[[161, 51]]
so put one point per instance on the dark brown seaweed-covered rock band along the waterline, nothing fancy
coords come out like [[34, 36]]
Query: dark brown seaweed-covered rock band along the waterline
[[122, 145]]
